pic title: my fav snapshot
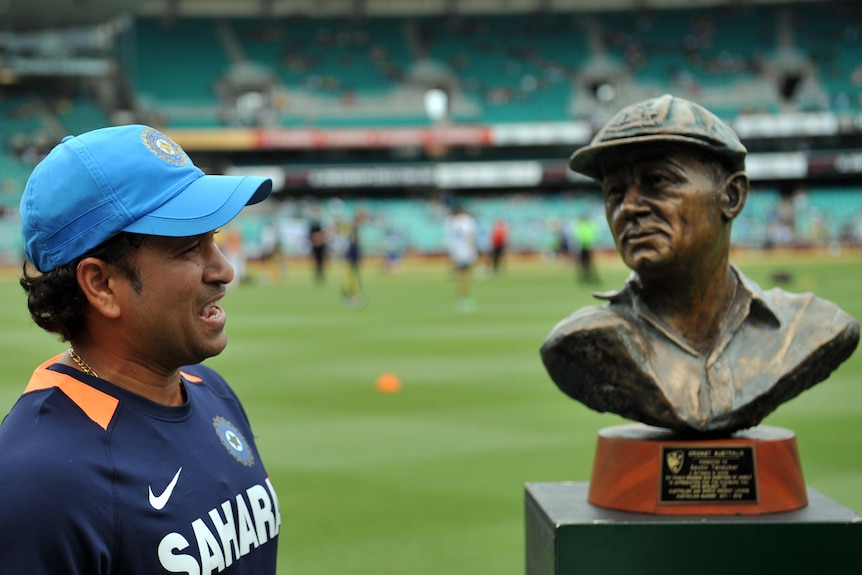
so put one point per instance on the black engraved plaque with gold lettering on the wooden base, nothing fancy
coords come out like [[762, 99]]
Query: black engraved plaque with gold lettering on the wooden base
[[703, 473]]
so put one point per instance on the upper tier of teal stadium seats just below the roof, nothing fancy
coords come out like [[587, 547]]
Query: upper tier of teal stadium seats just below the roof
[[729, 59]]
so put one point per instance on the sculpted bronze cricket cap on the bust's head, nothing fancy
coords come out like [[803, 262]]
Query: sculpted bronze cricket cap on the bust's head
[[663, 119]]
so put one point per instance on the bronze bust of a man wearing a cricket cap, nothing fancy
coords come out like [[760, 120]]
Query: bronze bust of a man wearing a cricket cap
[[689, 343]]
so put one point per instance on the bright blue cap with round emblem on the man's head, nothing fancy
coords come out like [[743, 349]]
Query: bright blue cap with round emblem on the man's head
[[123, 179]]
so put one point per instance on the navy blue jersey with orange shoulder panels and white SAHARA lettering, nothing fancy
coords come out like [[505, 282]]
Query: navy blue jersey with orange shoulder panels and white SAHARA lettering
[[96, 480]]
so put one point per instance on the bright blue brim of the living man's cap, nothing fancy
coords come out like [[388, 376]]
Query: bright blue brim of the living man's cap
[[206, 204]]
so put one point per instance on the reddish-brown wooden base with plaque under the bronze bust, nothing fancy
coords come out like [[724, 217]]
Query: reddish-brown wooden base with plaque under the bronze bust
[[645, 469]]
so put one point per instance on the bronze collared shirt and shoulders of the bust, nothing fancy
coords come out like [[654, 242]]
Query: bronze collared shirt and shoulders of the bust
[[772, 345]]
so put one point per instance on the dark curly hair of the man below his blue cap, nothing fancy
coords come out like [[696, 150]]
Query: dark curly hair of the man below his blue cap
[[55, 299]]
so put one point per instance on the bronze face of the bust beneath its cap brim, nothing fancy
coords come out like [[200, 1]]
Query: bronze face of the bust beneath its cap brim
[[663, 208]]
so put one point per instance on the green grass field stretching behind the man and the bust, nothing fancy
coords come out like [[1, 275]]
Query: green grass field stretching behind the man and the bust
[[430, 480]]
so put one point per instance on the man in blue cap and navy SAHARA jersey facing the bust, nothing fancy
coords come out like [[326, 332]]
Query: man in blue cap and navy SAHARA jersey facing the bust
[[125, 454]]
